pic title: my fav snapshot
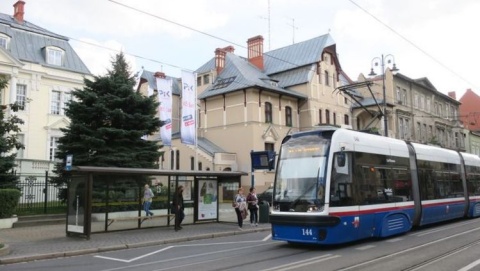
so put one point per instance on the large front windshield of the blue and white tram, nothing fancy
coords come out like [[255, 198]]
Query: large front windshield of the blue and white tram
[[300, 179]]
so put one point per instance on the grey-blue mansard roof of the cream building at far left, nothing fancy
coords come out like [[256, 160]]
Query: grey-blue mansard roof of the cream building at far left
[[28, 42]]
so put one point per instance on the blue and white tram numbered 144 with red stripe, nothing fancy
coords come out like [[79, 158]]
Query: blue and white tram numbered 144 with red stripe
[[335, 186]]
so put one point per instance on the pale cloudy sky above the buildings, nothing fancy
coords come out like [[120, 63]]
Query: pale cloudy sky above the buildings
[[436, 39]]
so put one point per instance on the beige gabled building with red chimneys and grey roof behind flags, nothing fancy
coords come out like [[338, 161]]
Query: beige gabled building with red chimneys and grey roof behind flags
[[250, 103]]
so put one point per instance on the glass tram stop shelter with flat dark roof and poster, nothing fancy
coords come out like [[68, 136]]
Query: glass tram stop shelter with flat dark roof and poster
[[102, 199]]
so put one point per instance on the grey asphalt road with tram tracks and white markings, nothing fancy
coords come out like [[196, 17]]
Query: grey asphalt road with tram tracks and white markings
[[445, 247]]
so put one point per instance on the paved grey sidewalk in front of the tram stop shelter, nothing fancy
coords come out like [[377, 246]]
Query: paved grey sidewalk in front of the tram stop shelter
[[50, 241]]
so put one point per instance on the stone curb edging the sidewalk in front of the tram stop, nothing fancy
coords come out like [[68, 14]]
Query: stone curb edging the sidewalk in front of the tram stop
[[53, 255]]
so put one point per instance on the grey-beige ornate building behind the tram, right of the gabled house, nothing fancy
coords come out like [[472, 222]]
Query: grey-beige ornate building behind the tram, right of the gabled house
[[416, 111]]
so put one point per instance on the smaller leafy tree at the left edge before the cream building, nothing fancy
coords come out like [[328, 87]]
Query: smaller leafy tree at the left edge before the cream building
[[9, 129]]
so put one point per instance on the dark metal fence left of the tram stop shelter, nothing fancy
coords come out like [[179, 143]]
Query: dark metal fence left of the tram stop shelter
[[38, 195]]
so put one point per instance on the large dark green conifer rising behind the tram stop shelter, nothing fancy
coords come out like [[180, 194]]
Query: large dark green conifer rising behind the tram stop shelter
[[108, 119]]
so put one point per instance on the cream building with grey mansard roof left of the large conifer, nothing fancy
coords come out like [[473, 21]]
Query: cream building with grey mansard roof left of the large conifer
[[42, 69]]
